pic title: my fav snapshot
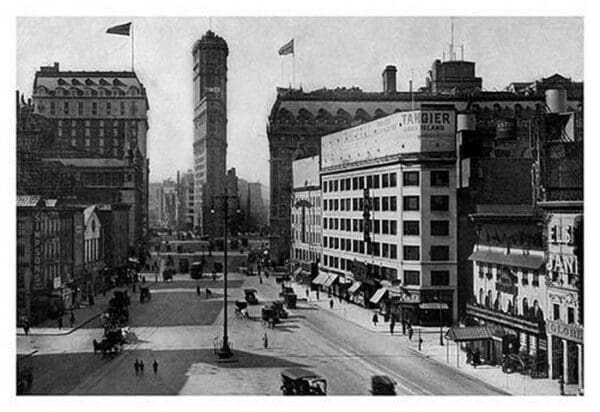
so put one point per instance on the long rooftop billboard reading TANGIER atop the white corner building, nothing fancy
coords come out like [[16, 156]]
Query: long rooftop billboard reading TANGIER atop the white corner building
[[417, 131]]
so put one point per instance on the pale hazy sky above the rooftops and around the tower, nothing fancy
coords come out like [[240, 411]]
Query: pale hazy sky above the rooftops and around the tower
[[330, 52]]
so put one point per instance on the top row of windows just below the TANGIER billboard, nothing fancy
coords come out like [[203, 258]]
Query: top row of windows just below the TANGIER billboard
[[438, 178]]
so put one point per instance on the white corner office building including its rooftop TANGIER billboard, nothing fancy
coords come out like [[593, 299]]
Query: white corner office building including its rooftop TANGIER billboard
[[389, 209]]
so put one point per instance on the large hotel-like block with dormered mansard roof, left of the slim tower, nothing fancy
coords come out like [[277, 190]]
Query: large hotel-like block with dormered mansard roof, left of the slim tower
[[99, 128]]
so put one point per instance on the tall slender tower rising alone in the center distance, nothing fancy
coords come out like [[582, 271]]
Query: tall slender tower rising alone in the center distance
[[210, 130]]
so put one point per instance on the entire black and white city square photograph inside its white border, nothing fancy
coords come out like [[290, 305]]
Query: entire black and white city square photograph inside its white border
[[276, 205]]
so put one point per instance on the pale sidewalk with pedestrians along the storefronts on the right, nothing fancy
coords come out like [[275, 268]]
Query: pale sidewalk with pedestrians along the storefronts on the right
[[514, 384]]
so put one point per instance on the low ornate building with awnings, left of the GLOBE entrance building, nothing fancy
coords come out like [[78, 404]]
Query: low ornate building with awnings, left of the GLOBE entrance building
[[509, 284]]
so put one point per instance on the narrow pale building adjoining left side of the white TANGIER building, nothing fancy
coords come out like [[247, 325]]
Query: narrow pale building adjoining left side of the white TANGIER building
[[306, 212]]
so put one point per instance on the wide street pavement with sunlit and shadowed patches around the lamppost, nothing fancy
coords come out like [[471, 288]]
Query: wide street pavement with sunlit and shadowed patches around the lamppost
[[177, 329]]
